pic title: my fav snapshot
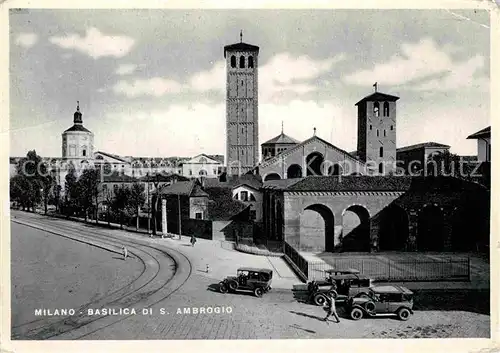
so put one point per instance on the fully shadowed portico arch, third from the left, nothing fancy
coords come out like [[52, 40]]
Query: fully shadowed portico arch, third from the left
[[394, 228]]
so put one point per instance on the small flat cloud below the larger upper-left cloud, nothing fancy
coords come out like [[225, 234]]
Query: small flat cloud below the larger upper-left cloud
[[156, 86]]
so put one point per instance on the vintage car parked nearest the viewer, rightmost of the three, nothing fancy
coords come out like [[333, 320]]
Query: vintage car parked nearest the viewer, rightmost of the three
[[382, 300]]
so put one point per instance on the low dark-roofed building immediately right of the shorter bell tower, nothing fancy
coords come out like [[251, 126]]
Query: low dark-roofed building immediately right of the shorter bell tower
[[412, 159]]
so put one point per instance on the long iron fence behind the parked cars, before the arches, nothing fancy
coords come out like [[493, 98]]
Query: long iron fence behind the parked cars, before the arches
[[380, 268]]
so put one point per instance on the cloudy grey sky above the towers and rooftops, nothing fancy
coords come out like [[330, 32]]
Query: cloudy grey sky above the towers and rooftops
[[152, 82]]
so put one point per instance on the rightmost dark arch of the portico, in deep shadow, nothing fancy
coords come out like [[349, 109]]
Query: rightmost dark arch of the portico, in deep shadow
[[430, 233]]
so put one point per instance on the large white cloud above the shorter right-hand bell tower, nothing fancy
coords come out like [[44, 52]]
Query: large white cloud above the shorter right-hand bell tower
[[421, 62]]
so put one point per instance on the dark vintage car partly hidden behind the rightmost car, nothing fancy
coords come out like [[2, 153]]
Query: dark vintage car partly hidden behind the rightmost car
[[343, 284]]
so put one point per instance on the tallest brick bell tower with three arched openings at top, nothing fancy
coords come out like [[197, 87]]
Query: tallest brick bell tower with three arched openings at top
[[242, 115]]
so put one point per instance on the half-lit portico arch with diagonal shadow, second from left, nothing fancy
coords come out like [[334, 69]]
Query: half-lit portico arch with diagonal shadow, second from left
[[356, 228]]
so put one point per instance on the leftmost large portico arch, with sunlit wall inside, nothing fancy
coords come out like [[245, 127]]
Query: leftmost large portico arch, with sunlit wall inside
[[317, 228]]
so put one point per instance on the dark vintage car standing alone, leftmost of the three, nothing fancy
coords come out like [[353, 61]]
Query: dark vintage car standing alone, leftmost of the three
[[256, 280]]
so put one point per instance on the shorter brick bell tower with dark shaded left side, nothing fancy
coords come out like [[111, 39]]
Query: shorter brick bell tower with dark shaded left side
[[377, 132]]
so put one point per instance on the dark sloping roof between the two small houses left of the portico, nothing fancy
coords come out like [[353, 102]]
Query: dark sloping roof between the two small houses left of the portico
[[222, 206]]
